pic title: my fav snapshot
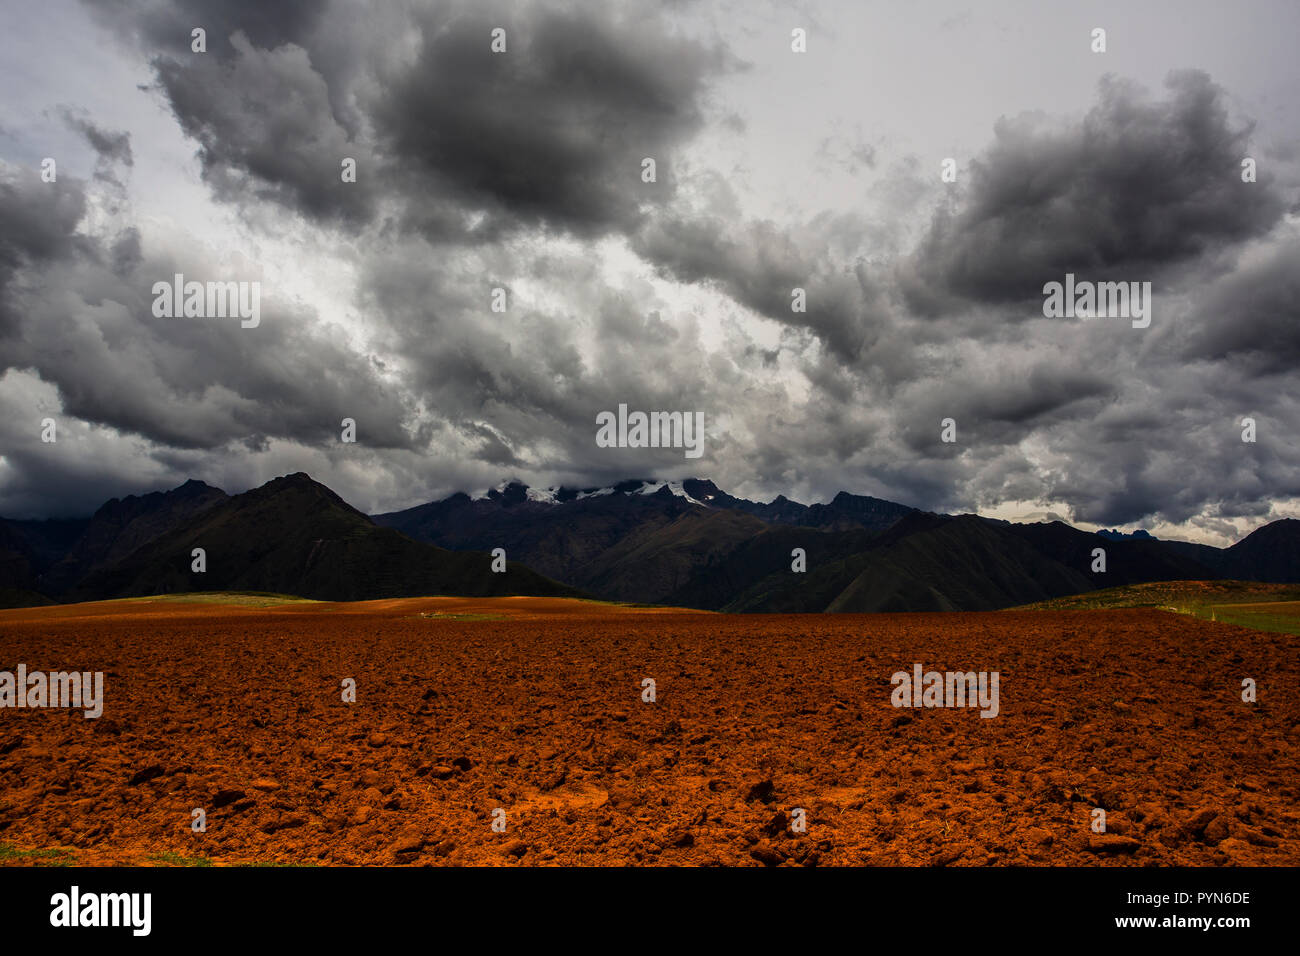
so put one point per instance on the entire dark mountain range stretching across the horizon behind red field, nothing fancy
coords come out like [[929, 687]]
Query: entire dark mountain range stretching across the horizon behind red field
[[675, 543]]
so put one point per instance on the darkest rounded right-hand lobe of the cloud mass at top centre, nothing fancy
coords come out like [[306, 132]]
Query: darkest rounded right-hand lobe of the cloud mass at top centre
[[554, 131]]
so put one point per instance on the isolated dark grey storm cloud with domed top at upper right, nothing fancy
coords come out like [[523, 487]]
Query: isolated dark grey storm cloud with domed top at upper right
[[1137, 187]]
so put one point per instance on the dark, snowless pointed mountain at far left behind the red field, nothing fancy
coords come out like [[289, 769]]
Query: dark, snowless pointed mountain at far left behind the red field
[[292, 537]]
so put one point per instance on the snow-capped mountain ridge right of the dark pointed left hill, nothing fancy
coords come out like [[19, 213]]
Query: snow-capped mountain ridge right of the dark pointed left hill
[[690, 543]]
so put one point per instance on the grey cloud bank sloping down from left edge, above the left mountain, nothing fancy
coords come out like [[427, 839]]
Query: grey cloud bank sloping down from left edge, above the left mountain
[[83, 319]]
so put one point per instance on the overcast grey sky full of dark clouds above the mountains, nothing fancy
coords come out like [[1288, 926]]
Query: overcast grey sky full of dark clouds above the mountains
[[775, 171]]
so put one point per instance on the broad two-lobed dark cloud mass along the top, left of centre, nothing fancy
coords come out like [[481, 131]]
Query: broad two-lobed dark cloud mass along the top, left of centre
[[549, 135]]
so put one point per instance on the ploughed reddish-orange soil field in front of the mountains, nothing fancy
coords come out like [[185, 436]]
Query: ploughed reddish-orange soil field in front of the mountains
[[239, 711]]
